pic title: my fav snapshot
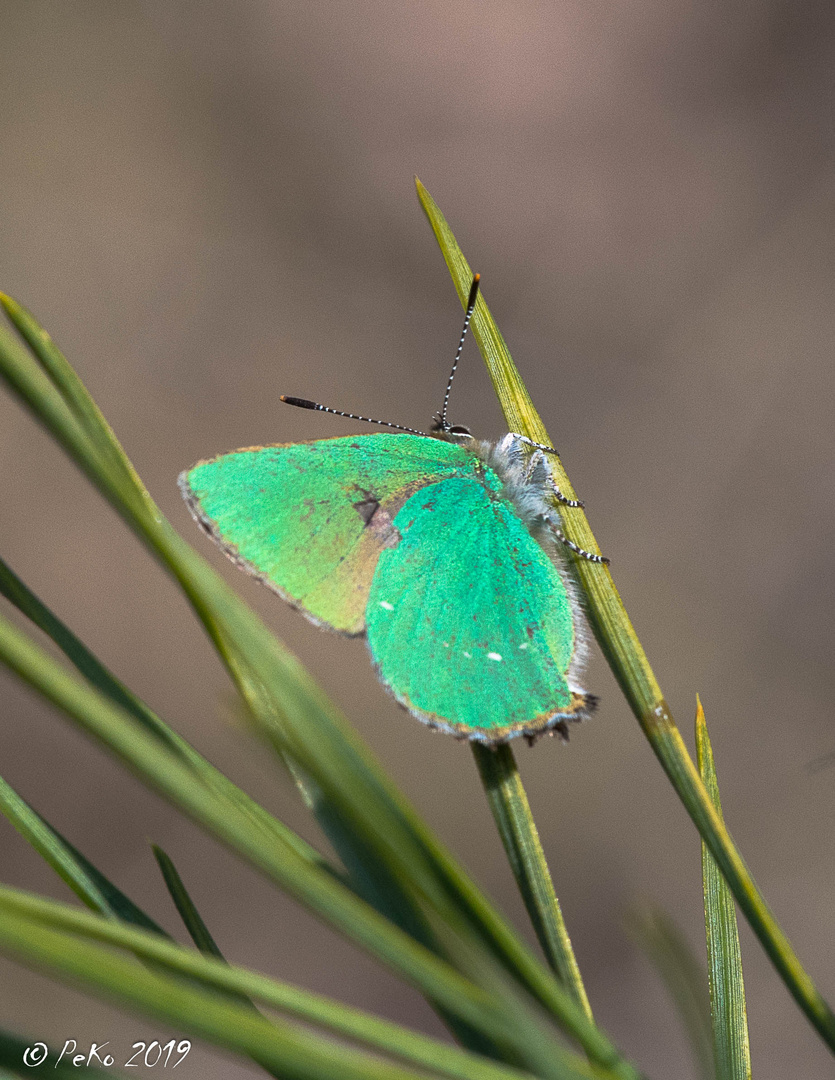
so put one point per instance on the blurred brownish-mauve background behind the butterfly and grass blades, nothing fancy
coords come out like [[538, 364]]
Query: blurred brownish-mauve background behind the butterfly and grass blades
[[212, 205]]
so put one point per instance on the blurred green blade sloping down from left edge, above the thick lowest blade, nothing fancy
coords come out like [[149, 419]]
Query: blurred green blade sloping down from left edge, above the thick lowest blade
[[293, 1002]]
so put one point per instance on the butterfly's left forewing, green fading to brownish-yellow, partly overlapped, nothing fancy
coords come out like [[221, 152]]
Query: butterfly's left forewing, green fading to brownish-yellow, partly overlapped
[[311, 520]]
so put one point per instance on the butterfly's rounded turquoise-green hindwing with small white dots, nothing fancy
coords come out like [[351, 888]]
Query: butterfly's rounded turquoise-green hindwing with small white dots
[[469, 620]]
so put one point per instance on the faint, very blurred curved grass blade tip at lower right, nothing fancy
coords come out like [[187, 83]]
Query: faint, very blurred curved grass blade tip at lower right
[[682, 975]]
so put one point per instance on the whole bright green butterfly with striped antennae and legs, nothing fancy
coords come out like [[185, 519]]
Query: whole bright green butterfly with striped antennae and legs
[[443, 550]]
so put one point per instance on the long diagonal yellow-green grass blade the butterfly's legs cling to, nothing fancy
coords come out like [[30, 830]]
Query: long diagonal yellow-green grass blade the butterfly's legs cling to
[[626, 656]]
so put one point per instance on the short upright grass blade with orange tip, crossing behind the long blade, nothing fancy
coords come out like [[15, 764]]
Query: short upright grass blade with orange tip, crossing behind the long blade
[[731, 1038]]
